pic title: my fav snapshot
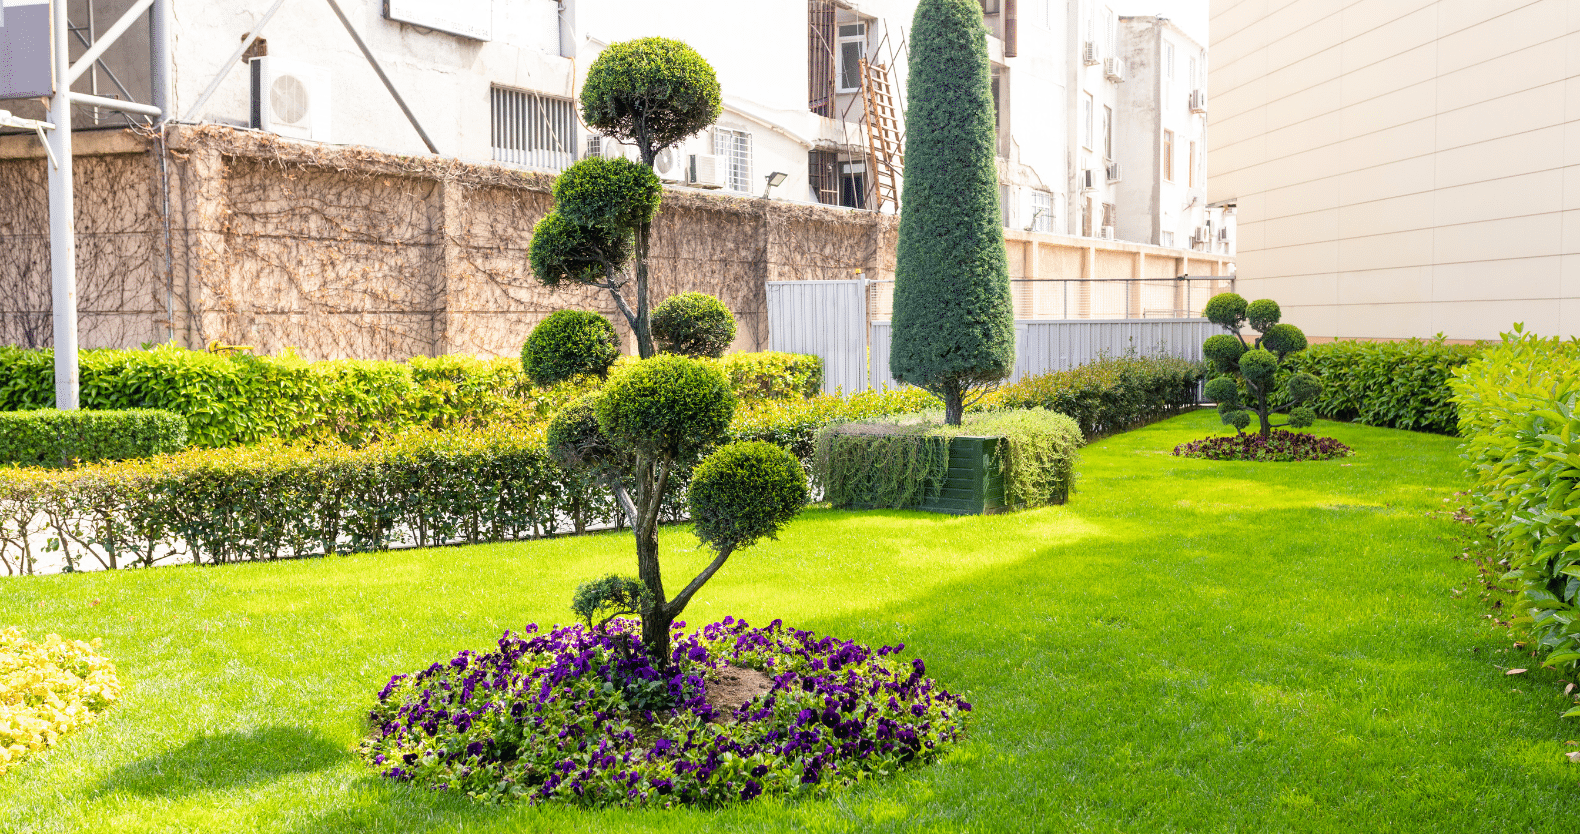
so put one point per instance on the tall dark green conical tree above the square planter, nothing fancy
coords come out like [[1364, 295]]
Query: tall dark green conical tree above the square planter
[[954, 329]]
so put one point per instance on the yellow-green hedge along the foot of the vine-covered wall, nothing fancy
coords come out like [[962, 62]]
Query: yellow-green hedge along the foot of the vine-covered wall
[[243, 399]]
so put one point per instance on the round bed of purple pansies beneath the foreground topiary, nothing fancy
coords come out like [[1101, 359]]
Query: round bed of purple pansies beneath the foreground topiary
[[584, 718]]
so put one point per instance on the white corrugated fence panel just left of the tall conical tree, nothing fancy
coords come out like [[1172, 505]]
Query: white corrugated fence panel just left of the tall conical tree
[[827, 320]]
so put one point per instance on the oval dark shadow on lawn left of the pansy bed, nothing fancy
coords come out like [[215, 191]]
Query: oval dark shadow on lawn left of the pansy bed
[[228, 761]]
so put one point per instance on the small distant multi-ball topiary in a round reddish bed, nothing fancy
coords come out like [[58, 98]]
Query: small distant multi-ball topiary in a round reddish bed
[[1255, 366]]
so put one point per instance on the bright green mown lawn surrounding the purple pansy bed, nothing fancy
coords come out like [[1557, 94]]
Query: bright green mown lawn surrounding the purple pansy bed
[[1186, 647]]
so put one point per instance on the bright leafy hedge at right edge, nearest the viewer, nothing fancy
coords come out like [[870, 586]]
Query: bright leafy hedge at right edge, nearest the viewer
[[1522, 441]]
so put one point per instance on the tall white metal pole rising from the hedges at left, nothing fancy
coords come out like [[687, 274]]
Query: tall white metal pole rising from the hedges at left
[[62, 236]]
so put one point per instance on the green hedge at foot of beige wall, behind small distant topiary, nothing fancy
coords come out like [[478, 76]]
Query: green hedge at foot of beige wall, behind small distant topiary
[[1396, 385]]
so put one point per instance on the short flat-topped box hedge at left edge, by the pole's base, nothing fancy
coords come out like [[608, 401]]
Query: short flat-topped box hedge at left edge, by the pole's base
[[59, 438]]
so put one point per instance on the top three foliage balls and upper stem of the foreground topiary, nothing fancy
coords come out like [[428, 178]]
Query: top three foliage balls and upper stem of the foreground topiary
[[653, 92]]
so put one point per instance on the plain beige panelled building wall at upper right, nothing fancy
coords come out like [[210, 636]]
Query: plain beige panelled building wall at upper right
[[1402, 168]]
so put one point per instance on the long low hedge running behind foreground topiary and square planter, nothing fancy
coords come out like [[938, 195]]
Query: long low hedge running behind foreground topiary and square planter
[[421, 487]]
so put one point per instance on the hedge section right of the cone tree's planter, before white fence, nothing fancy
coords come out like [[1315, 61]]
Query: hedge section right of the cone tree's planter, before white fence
[[1108, 396]]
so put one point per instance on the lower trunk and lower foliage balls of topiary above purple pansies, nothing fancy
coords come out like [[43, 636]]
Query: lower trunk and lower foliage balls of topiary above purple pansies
[[650, 423]]
